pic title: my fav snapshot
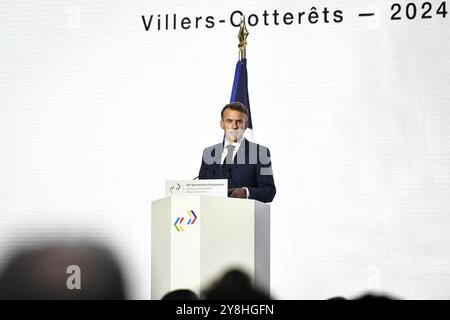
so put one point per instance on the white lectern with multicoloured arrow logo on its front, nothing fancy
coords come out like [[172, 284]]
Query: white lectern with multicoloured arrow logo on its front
[[196, 238]]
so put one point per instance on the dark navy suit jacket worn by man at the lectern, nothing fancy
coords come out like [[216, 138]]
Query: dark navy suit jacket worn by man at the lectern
[[252, 168]]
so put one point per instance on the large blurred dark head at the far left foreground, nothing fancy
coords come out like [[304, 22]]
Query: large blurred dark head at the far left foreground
[[62, 272]]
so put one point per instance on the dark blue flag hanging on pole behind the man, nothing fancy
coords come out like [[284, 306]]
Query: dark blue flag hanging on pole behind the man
[[239, 93]]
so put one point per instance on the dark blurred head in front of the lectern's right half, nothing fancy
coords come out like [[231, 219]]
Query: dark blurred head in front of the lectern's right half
[[234, 285]]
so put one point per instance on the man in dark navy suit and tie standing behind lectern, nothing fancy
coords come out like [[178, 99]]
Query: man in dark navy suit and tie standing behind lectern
[[245, 164]]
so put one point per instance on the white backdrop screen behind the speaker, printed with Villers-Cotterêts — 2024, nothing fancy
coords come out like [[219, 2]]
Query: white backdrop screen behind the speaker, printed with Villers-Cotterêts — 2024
[[96, 113]]
